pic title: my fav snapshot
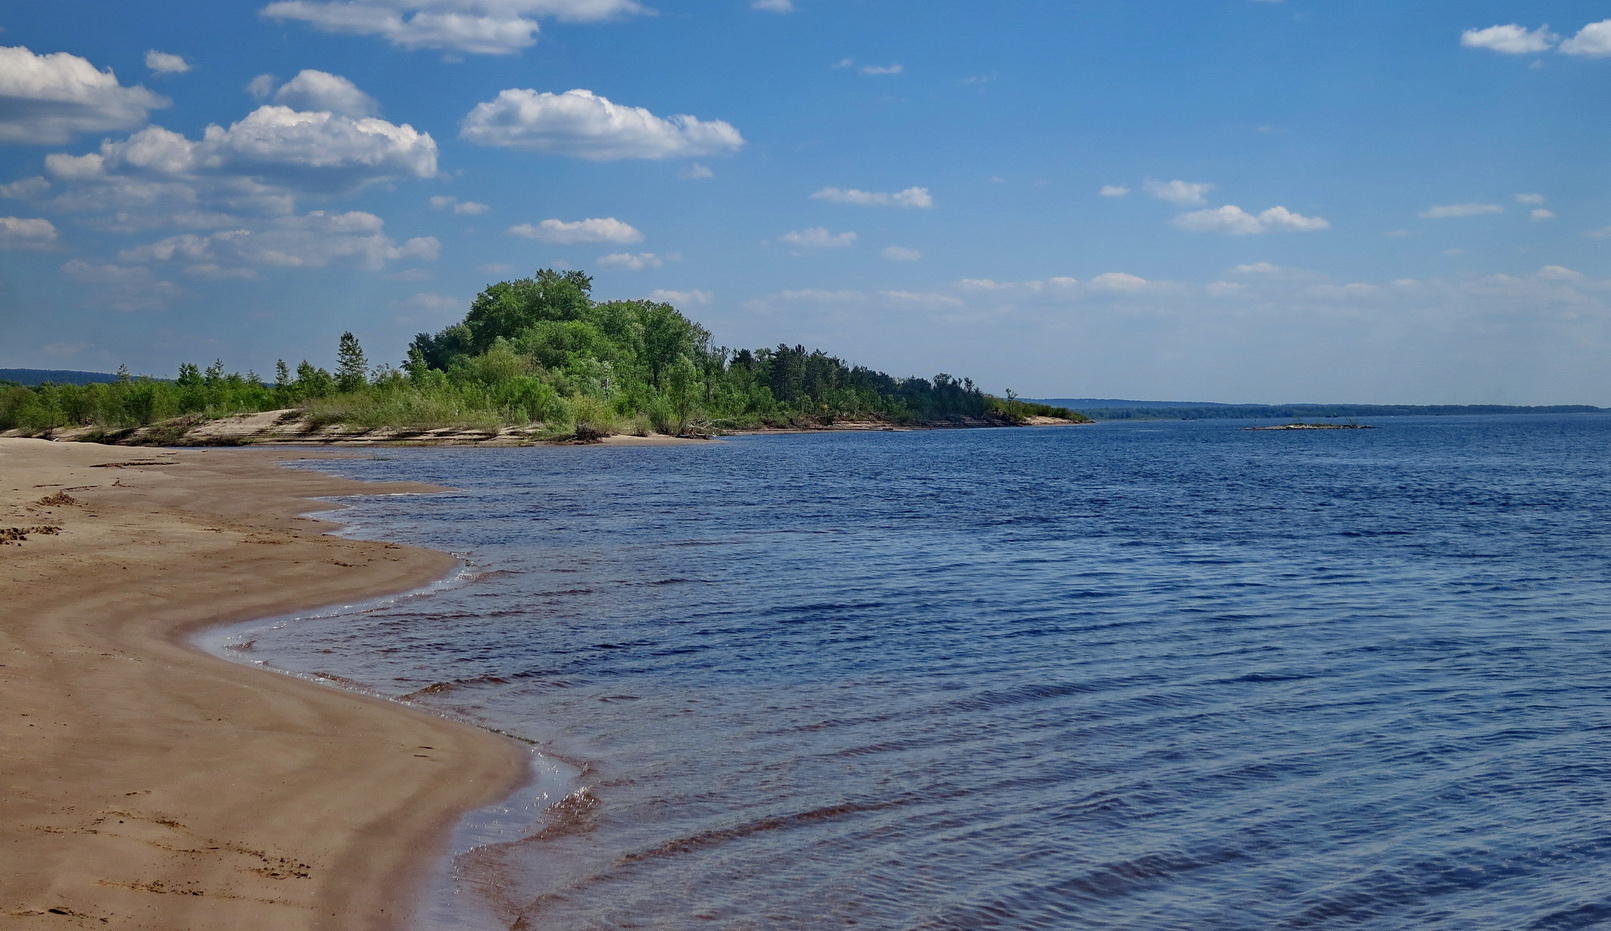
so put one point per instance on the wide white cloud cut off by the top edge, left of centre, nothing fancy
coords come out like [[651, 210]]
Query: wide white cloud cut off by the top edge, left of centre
[[462, 27]]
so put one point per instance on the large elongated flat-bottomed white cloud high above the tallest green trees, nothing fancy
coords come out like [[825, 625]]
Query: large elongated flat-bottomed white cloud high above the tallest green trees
[[584, 125]]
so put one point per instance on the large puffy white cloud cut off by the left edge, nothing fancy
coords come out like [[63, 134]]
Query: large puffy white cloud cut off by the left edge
[[49, 99]]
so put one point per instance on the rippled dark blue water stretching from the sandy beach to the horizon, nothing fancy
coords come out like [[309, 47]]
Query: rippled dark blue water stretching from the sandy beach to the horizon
[[1132, 676]]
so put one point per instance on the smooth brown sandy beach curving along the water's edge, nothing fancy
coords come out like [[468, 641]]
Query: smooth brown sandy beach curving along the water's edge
[[147, 785]]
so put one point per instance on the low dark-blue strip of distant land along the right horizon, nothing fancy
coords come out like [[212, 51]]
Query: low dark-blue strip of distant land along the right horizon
[[1117, 410]]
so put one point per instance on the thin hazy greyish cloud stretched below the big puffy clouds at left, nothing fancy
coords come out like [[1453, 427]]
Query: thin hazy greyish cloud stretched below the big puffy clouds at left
[[313, 241]]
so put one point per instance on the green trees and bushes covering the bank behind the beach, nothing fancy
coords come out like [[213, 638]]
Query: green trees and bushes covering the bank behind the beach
[[539, 352]]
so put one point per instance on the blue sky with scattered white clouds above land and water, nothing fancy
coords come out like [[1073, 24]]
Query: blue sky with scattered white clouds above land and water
[[1230, 201]]
